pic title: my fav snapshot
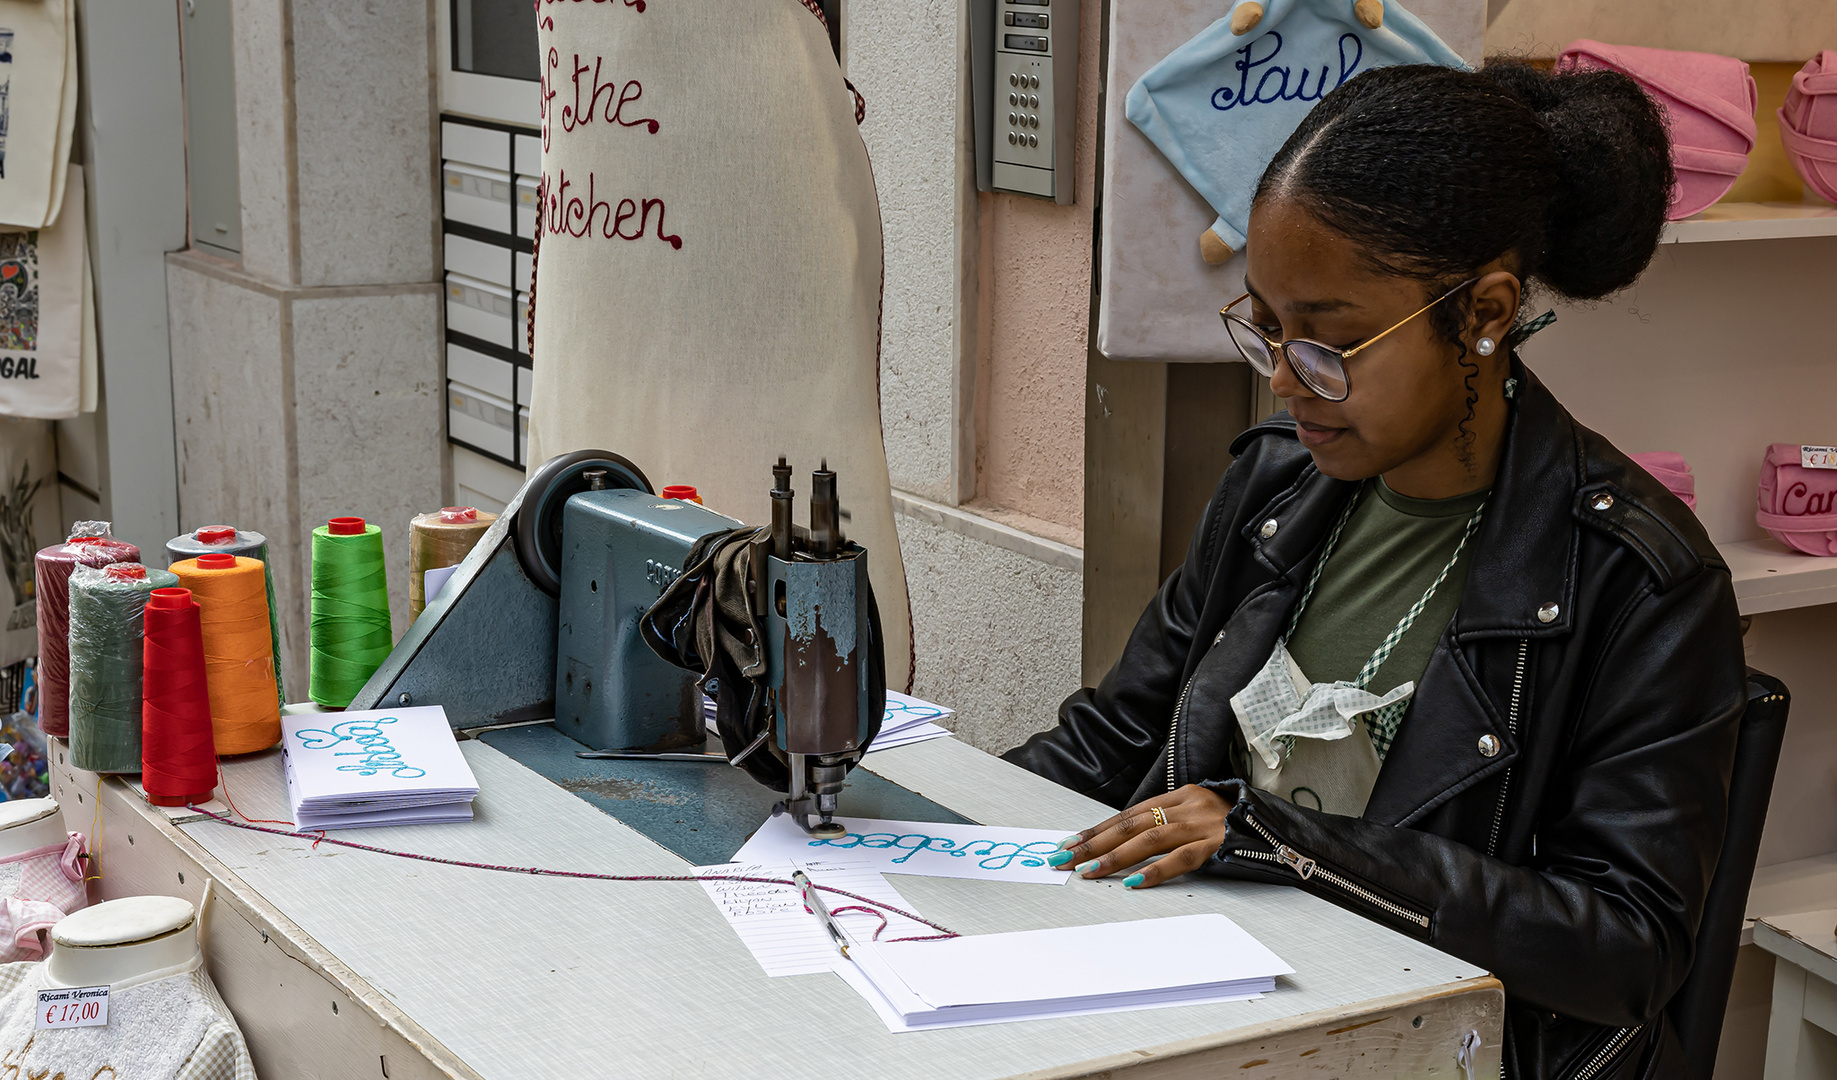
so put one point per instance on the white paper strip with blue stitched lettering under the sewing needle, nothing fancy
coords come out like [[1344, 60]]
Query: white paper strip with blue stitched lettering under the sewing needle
[[916, 848]]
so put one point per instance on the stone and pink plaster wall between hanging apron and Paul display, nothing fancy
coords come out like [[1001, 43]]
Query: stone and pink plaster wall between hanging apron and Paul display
[[984, 343]]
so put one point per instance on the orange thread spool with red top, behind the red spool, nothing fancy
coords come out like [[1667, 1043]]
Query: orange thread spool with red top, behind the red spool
[[238, 649]]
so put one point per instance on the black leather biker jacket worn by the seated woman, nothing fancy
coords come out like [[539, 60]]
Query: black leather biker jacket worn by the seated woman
[[1555, 802]]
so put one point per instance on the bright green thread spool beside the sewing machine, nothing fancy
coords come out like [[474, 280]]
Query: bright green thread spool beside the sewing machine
[[352, 631]]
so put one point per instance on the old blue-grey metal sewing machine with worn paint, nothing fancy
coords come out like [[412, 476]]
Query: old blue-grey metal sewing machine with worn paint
[[541, 620]]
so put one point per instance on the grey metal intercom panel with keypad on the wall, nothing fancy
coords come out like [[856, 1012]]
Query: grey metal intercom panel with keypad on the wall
[[1026, 71]]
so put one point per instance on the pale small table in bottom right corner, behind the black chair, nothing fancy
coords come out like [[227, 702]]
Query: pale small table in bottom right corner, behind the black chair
[[1803, 1028]]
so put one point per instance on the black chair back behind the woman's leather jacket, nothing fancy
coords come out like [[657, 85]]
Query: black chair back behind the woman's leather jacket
[[1696, 1013]]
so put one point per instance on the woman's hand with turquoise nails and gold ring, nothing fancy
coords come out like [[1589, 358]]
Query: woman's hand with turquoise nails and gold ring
[[1195, 829]]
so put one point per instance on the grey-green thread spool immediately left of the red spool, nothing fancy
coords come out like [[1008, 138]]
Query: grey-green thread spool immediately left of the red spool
[[106, 664]]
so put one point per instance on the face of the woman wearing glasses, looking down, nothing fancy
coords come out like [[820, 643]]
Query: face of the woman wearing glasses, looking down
[[1408, 396]]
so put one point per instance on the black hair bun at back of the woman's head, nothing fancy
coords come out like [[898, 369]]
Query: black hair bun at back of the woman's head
[[1614, 179]]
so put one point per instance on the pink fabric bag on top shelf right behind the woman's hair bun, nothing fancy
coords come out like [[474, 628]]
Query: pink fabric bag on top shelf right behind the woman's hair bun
[[1709, 102]]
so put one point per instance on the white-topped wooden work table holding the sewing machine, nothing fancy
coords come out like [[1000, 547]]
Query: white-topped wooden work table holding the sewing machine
[[344, 963]]
